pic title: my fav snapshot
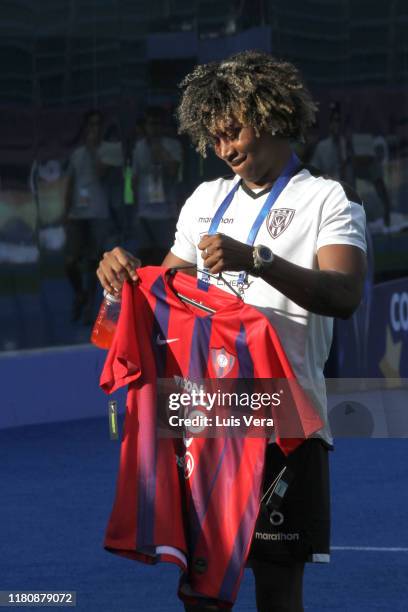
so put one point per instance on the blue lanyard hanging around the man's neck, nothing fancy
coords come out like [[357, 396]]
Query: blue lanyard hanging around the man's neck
[[279, 185]]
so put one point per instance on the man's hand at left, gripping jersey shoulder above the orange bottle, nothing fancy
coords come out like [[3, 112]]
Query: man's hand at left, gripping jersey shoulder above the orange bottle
[[115, 267]]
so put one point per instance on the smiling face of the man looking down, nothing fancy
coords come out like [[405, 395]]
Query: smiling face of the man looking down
[[250, 156]]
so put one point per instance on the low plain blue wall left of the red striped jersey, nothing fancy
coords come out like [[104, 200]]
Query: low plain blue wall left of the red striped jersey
[[50, 385]]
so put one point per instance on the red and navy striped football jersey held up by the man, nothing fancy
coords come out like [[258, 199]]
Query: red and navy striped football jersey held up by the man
[[192, 501]]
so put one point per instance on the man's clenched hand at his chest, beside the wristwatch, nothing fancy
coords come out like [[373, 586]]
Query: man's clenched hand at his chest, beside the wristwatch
[[221, 253]]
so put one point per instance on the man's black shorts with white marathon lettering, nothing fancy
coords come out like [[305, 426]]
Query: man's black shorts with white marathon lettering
[[300, 529]]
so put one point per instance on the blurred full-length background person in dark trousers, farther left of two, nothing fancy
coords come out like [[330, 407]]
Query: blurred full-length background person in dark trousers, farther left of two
[[87, 213]]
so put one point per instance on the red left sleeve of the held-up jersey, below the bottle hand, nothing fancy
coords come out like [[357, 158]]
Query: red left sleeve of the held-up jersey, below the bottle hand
[[123, 362]]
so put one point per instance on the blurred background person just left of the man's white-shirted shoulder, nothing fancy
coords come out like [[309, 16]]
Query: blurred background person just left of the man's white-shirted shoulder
[[156, 164]]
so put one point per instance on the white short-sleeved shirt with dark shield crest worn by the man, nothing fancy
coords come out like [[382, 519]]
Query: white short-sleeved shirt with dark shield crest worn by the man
[[310, 213]]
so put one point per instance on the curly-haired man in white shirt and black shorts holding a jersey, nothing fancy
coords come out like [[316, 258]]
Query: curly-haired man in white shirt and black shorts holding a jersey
[[293, 244]]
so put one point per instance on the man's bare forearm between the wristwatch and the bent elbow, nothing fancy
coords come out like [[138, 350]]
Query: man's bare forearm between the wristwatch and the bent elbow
[[323, 292]]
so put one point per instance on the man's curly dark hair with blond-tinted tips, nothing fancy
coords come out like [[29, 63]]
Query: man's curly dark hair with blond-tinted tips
[[252, 88]]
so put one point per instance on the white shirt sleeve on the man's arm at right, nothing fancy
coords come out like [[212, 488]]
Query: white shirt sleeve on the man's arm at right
[[343, 219]]
